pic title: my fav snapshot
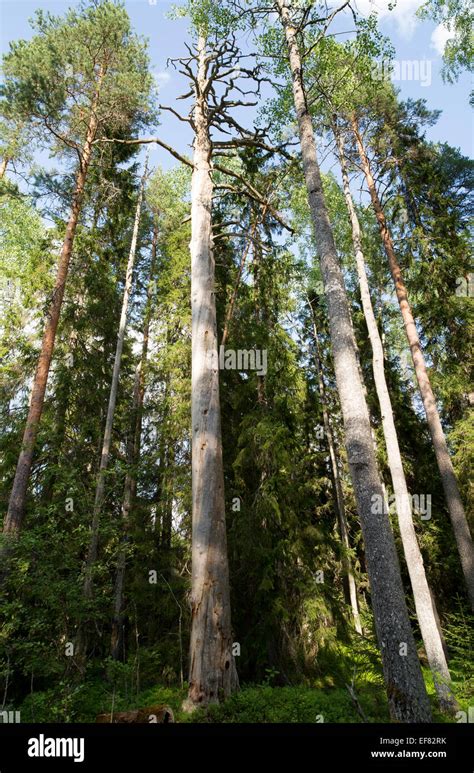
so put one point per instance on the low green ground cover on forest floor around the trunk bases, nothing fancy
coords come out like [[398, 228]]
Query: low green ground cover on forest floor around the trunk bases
[[254, 703]]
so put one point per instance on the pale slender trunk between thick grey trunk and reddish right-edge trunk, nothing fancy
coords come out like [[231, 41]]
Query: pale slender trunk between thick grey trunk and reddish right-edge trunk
[[424, 603]]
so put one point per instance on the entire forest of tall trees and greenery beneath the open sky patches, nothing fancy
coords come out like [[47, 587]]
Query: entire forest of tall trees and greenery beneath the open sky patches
[[236, 402]]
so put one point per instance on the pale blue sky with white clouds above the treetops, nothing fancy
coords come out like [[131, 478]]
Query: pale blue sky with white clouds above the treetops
[[412, 39]]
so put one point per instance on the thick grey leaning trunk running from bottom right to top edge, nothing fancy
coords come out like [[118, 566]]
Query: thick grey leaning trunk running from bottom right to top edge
[[406, 690]]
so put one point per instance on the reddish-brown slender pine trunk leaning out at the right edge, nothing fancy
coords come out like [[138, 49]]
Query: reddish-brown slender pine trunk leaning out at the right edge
[[448, 477]]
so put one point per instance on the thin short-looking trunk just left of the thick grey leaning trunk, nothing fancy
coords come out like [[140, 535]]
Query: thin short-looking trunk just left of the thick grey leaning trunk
[[341, 510]]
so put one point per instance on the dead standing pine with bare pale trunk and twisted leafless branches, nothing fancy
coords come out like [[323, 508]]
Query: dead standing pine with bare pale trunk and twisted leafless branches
[[216, 76]]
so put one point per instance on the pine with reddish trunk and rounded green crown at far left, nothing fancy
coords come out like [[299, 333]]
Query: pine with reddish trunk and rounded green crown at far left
[[56, 82]]
